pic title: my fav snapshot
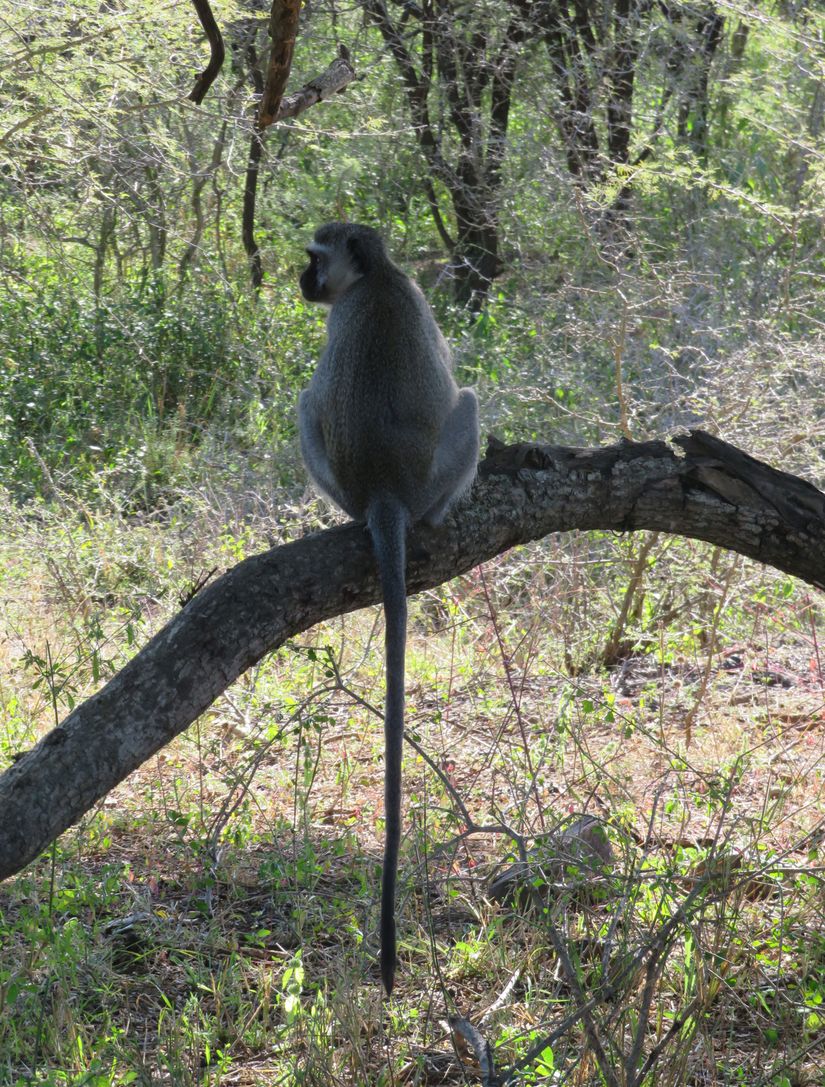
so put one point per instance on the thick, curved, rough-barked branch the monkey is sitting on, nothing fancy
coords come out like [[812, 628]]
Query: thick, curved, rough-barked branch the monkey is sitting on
[[709, 491]]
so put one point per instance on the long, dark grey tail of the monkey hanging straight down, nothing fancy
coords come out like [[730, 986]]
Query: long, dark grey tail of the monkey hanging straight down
[[387, 520]]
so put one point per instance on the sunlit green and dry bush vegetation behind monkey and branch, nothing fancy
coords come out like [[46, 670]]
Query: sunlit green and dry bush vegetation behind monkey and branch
[[616, 209]]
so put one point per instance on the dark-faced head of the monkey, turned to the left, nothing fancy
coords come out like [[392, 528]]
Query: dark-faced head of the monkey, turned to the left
[[341, 255]]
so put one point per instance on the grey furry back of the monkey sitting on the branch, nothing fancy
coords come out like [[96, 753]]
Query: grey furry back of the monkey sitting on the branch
[[386, 391]]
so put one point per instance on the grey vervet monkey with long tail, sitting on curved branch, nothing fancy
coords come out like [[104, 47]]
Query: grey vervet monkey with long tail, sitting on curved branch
[[392, 440]]
